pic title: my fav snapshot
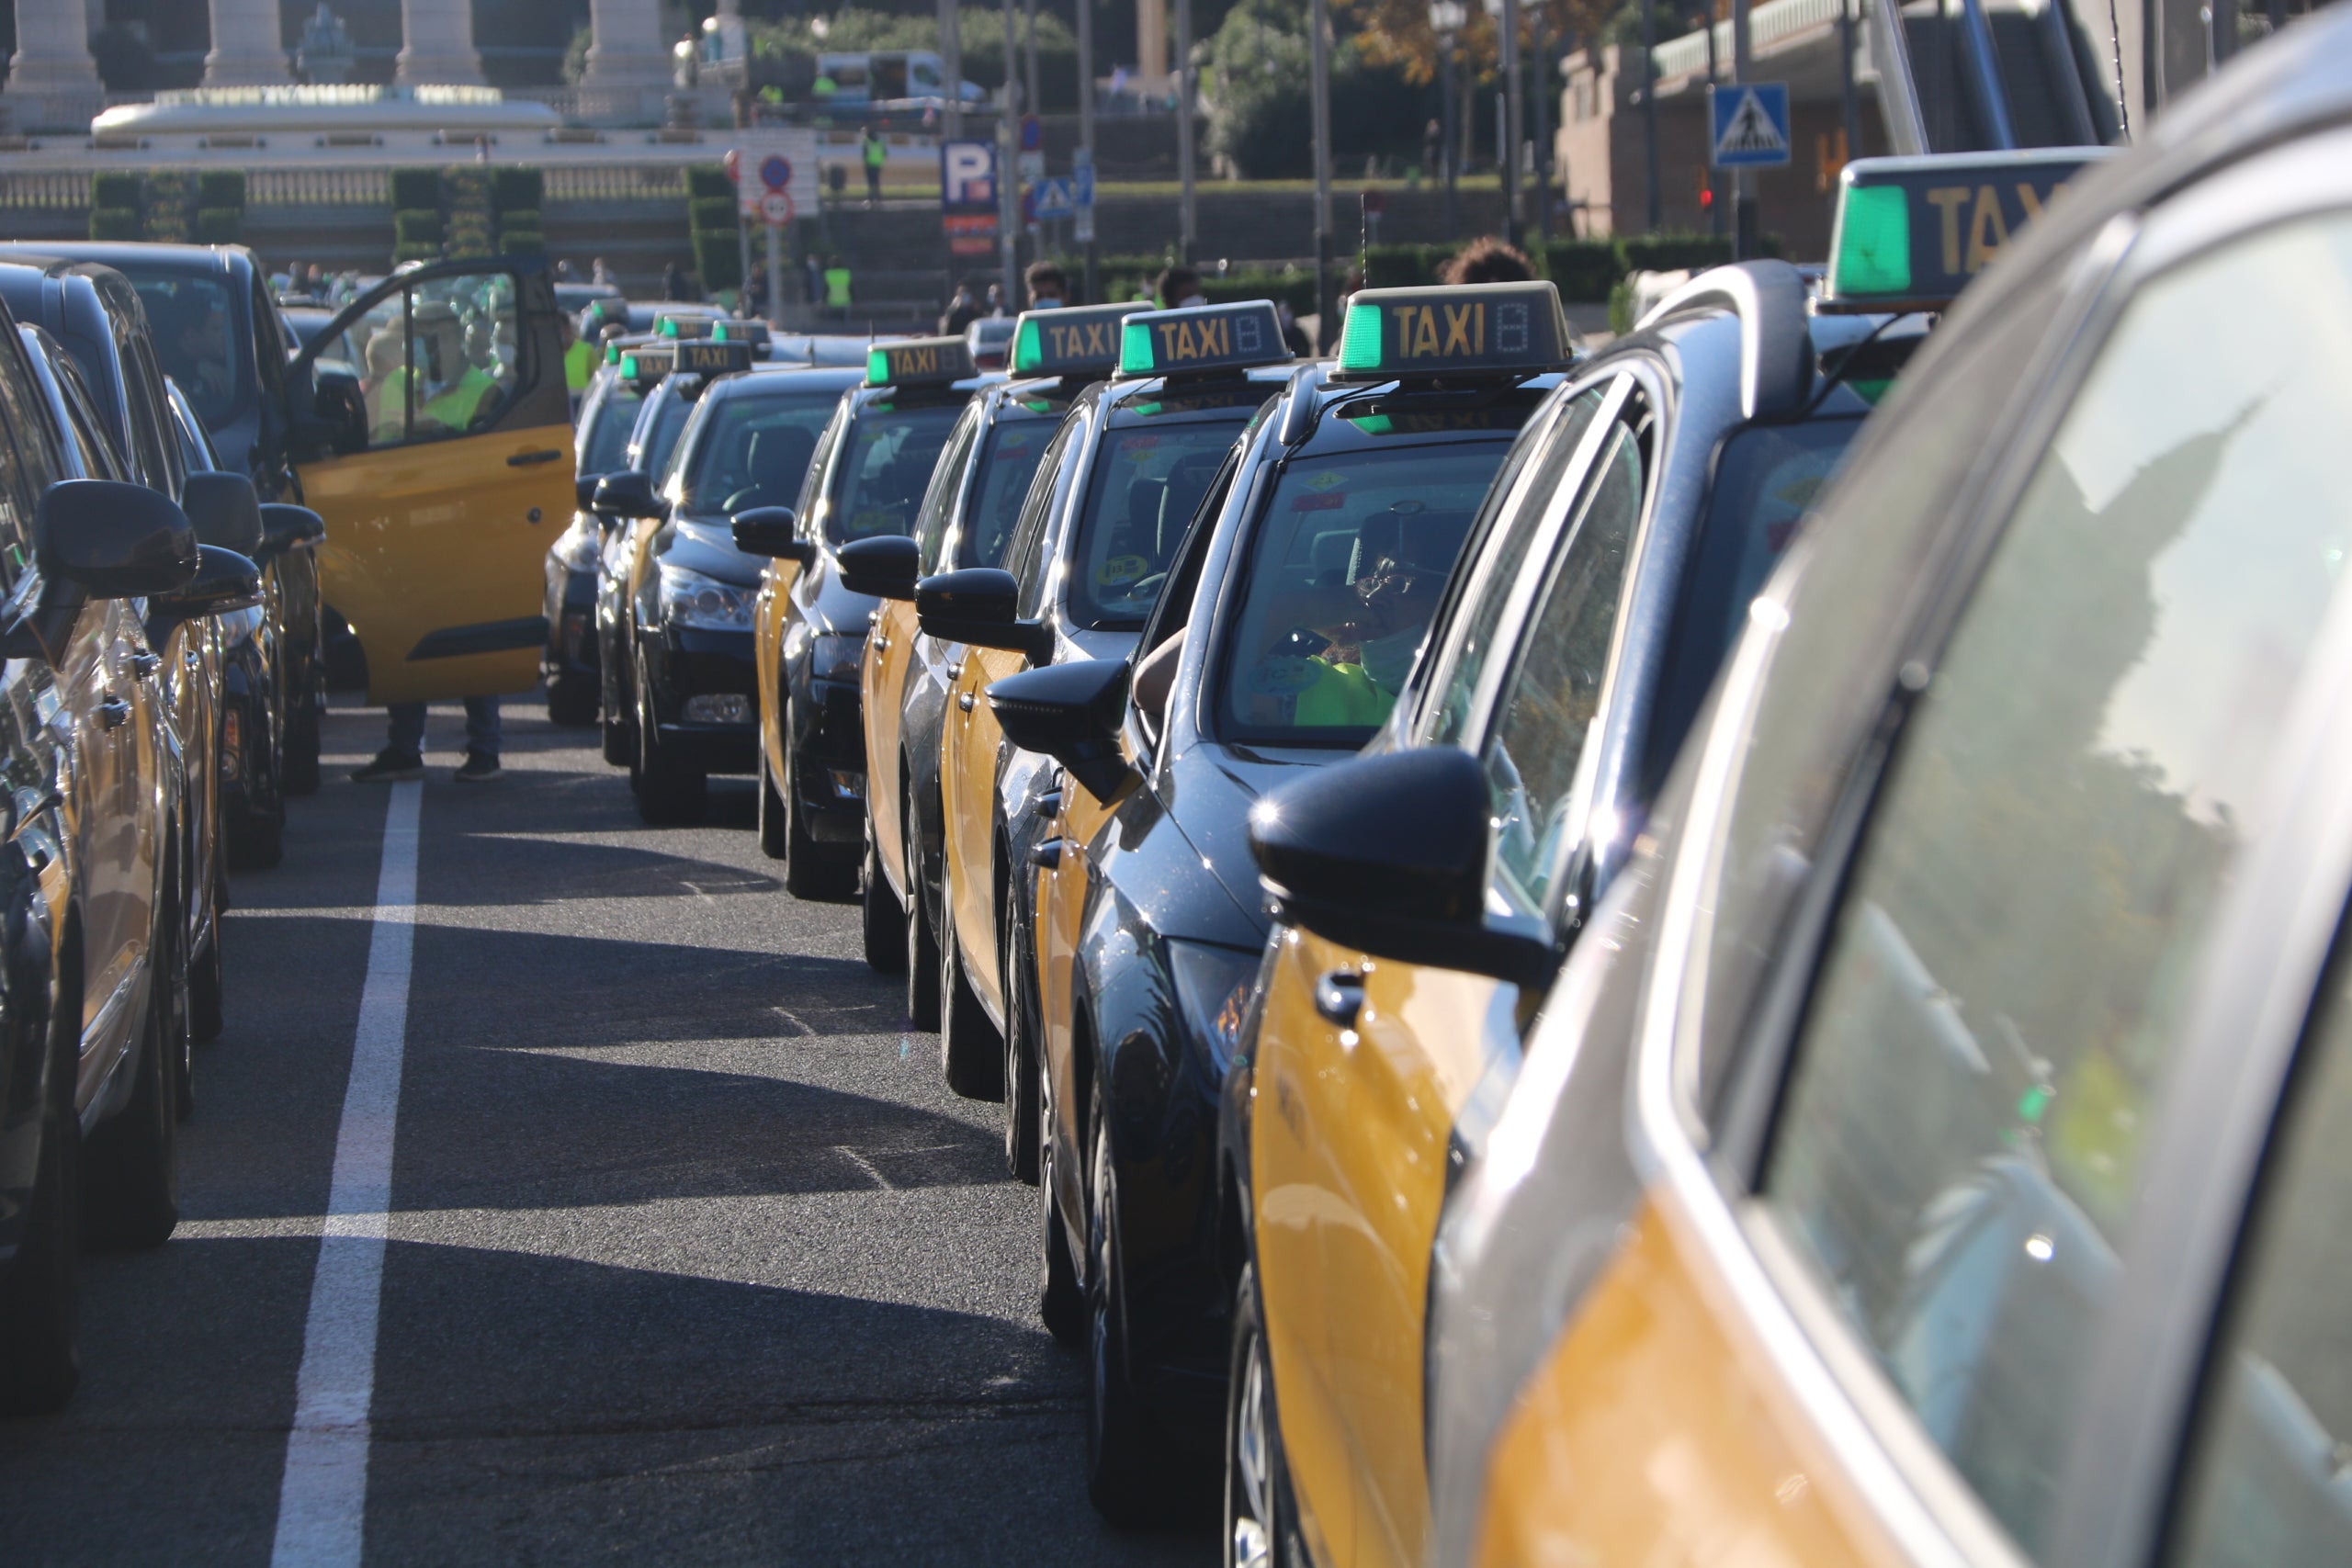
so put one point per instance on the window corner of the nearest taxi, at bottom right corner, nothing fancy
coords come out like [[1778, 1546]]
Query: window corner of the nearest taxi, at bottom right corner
[[2266, 1477]]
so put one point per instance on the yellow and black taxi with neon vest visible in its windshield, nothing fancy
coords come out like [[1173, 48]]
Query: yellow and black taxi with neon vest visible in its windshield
[[1278, 645]]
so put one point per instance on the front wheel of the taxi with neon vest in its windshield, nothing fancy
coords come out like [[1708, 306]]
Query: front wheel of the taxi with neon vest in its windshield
[[1128, 1466]]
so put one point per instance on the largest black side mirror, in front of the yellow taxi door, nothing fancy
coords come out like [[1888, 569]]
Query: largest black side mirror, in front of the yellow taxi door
[[1389, 855]]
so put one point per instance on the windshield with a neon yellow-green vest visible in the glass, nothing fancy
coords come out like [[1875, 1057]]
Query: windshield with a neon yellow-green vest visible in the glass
[[1347, 568]]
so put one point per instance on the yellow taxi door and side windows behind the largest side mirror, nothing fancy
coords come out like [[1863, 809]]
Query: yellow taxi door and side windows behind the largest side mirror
[[1370, 1061]]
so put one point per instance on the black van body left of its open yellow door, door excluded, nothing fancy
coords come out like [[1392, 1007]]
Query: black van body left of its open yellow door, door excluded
[[222, 340]]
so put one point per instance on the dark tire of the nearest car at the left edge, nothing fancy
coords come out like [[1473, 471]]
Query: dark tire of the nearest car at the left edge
[[41, 1289]]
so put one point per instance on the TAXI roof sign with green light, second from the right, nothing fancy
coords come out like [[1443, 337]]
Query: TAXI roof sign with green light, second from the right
[[1464, 330]]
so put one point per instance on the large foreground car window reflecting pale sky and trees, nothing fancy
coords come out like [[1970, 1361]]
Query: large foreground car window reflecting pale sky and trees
[[2000, 1000]]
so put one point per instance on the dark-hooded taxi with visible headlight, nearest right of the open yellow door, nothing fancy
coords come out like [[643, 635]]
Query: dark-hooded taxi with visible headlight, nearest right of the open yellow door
[[688, 612]]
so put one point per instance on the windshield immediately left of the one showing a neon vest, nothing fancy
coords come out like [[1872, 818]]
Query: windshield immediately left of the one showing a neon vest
[[1147, 485]]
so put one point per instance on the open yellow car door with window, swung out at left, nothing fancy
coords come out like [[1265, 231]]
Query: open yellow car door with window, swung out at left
[[446, 478]]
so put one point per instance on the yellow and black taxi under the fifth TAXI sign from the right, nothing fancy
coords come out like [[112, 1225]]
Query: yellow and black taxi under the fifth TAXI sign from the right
[[871, 474]]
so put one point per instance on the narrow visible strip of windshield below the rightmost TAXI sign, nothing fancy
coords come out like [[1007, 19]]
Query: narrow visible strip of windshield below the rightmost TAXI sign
[[1765, 481]]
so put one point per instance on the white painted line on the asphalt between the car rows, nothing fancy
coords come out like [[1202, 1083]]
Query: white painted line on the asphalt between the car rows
[[323, 1501]]
